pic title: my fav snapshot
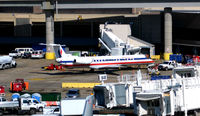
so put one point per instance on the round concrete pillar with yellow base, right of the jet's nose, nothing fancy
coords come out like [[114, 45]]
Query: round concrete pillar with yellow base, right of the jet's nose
[[168, 32]]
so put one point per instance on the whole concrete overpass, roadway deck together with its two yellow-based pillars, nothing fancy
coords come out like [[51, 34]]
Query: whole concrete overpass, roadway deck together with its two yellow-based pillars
[[50, 6]]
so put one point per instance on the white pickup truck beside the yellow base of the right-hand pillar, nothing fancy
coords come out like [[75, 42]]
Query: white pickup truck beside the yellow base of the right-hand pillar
[[167, 65]]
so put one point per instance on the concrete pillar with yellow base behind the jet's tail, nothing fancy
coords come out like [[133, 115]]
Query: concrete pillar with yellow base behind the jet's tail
[[49, 34]]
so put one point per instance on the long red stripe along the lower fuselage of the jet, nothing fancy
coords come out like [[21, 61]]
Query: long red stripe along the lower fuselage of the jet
[[97, 64]]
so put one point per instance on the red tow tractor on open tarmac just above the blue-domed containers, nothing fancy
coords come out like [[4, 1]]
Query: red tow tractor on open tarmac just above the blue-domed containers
[[19, 85]]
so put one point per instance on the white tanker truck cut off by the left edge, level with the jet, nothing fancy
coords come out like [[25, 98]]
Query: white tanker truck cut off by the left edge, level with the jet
[[7, 62]]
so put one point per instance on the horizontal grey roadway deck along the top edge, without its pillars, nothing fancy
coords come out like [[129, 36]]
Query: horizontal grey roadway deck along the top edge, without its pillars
[[88, 4]]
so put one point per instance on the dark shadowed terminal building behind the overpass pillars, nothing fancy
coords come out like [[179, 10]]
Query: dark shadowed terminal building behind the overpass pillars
[[80, 28]]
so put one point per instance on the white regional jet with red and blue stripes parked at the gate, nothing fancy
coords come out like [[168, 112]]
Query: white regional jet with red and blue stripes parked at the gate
[[97, 62]]
